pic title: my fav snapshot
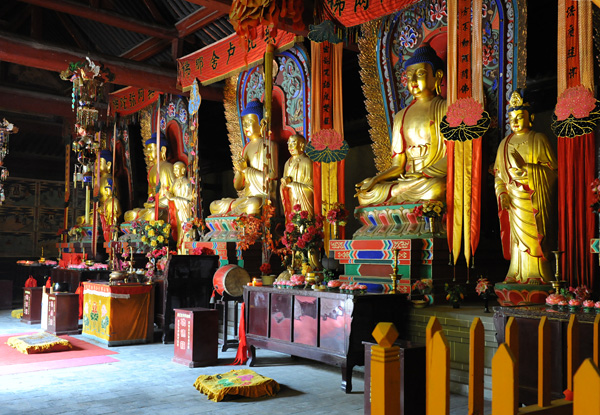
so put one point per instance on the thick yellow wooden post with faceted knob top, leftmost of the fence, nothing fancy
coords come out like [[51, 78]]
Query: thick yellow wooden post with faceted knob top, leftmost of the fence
[[385, 371]]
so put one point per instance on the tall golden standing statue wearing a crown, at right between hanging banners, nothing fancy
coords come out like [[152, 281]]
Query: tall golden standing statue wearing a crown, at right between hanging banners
[[525, 176]]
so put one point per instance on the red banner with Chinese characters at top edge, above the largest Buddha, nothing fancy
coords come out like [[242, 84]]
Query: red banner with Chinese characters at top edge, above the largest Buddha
[[355, 12]]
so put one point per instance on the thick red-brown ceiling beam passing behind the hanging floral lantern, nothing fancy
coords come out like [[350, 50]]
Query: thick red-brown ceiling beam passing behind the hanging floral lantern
[[128, 73]]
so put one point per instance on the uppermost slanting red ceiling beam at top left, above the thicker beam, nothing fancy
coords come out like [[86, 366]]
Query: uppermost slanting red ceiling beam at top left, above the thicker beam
[[106, 17]]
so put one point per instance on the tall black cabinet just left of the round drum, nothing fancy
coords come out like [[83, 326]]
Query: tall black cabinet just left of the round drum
[[186, 282]]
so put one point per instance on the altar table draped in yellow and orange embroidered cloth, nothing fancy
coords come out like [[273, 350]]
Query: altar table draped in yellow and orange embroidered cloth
[[118, 314]]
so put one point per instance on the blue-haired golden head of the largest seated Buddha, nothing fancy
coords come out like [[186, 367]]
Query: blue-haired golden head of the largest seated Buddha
[[424, 71]]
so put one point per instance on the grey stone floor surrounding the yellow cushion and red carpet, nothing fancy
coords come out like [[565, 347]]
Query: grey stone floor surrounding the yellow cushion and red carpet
[[145, 381]]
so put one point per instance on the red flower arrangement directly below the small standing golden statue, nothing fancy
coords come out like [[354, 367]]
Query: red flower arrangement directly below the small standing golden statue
[[303, 233]]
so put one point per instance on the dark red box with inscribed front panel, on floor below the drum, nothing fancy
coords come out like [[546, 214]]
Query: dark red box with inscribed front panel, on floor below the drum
[[196, 336]]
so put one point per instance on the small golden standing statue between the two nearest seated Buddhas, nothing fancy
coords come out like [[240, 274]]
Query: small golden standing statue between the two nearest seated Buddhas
[[297, 179]]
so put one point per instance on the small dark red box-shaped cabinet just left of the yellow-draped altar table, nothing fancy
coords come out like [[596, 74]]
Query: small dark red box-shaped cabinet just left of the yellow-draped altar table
[[63, 313]]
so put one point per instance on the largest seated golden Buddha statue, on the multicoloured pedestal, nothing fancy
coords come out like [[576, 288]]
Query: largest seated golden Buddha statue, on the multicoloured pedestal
[[419, 163]]
